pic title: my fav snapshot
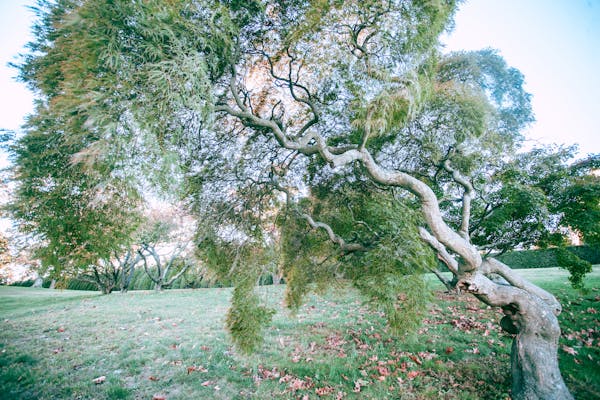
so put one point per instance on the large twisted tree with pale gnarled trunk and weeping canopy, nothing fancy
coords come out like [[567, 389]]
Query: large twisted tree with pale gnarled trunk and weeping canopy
[[335, 130]]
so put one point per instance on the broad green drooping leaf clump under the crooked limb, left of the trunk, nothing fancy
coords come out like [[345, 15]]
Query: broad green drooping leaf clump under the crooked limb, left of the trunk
[[388, 272]]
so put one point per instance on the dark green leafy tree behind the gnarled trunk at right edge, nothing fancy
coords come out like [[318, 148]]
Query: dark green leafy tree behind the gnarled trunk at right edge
[[538, 198]]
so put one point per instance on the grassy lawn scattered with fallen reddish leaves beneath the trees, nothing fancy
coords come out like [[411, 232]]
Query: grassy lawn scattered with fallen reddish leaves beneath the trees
[[171, 345]]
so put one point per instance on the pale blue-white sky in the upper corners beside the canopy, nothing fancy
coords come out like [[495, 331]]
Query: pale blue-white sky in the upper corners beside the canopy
[[554, 43]]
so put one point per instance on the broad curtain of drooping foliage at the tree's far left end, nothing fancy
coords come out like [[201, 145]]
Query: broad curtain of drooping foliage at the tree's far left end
[[97, 129]]
